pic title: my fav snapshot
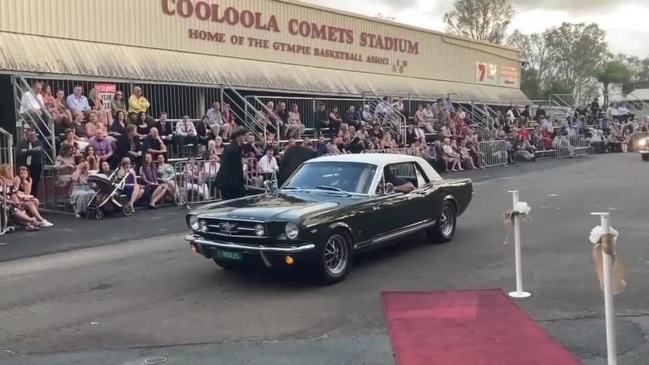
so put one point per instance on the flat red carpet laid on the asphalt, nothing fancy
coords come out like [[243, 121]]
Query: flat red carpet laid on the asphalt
[[477, 327]]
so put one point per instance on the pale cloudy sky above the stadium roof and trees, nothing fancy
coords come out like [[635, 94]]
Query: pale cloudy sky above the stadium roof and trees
[[625, 21]]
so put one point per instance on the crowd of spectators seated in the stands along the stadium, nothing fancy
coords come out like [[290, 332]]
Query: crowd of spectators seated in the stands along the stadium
[[124, 141]]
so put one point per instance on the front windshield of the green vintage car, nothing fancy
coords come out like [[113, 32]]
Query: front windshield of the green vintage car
[[350, 177]]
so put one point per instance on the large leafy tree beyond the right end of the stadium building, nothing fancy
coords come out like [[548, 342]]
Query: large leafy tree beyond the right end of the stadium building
[[575, 51]]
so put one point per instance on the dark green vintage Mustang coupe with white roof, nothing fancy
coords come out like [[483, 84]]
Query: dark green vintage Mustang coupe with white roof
[[328, 211]]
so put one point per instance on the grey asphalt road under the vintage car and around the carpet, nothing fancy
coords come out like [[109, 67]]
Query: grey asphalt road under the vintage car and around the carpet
[[121, 303]]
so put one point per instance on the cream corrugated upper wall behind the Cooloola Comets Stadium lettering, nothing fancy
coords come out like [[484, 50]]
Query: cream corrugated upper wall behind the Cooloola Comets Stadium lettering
[[142, 23]]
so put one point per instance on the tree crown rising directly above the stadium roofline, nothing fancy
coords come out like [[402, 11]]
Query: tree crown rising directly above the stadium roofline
[[485, 20]]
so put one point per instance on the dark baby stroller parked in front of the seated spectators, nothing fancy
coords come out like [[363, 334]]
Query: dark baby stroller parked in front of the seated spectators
[[109, 196]]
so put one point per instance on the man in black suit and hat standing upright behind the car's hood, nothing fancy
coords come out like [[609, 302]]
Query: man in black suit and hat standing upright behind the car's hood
[[230, 177]]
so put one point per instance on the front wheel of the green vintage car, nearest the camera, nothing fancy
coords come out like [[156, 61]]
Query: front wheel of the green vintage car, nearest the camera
[[334, 258]]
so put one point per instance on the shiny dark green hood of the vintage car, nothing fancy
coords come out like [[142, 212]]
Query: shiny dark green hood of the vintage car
[[282, 206]]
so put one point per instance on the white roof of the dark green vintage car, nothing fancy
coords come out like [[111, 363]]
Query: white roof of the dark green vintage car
[[380, 160]]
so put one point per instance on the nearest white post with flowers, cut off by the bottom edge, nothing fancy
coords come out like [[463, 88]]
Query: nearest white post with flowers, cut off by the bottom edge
[[609, 308]]
